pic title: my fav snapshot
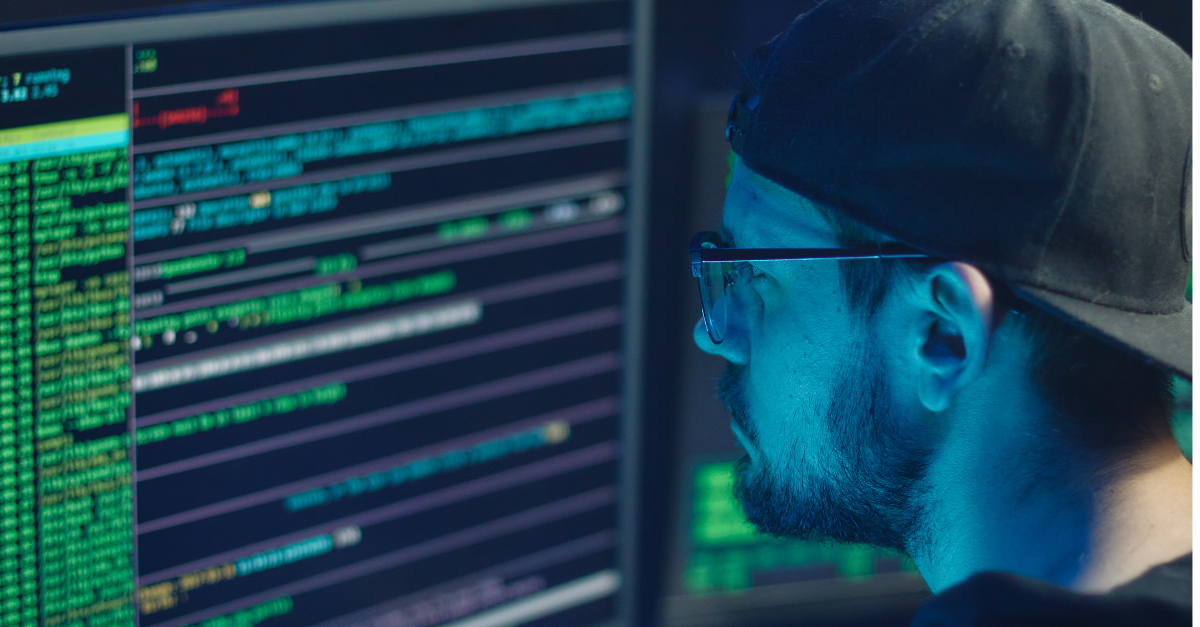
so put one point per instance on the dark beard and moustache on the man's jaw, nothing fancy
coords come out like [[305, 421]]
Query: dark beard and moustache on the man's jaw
[[866, 491]]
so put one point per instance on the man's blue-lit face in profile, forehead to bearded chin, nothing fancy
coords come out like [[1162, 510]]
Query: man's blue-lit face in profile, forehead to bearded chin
[[808, 385]]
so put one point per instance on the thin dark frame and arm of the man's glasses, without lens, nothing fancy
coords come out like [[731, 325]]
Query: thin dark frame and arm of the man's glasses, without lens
[[709, 247]]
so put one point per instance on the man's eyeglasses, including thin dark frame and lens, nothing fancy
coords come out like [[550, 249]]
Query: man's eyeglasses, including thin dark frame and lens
[[721, 277]]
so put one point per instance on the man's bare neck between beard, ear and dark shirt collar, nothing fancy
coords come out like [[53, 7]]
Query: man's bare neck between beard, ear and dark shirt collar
[[1024, 503]]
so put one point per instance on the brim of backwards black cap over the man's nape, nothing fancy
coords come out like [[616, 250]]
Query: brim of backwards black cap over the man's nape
[[1161, 339]]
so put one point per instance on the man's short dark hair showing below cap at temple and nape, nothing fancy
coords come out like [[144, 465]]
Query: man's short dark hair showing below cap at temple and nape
[[1101, 396]]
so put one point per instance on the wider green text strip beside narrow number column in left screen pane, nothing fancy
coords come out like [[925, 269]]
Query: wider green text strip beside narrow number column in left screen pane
[[81, 329]]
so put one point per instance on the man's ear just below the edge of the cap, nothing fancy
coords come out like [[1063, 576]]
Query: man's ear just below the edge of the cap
[[959, 307]]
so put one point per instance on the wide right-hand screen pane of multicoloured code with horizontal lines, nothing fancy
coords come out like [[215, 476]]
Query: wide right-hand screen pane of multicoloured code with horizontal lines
[[395, 312]]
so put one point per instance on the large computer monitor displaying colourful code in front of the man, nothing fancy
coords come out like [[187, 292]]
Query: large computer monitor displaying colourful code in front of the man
[[317, 314]]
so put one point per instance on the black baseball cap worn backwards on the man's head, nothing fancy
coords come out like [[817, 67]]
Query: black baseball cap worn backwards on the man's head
[[1047, 142]]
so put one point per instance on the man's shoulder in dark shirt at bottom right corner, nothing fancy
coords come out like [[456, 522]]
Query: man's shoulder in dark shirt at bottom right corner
[[1161, 596]]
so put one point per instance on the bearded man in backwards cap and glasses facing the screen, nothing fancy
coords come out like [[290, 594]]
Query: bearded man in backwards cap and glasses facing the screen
[[980, 374]]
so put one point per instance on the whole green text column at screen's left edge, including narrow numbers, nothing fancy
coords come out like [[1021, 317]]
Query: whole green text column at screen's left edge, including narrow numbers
[[65, 506]]
